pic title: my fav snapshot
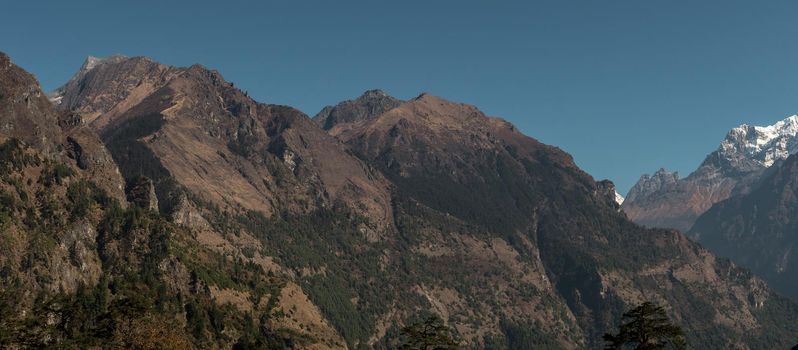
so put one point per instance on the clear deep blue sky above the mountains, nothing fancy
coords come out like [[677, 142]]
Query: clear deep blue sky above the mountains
[[624, 86]]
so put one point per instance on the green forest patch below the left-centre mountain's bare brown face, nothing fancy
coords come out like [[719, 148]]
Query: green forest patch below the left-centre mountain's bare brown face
[[327, 240]]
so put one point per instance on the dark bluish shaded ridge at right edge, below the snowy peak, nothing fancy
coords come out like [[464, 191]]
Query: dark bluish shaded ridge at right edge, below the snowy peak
[[758, 230]]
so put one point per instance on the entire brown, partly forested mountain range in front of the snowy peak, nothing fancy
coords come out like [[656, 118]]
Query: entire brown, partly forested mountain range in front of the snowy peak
[[150, 205]]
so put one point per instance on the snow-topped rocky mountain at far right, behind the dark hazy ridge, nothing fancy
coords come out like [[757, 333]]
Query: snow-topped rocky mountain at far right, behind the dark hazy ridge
[[665, 200]]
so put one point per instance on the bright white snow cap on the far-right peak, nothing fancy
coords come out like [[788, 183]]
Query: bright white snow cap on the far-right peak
[[764, 144]]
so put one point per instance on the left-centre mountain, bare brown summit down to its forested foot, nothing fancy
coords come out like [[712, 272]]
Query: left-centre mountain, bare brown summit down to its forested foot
[[324, 202]]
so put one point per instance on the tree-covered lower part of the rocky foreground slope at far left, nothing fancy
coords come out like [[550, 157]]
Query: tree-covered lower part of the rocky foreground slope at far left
[[127, 296]]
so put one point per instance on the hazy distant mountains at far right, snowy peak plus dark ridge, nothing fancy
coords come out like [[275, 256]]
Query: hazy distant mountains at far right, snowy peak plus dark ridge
[[739, 202]]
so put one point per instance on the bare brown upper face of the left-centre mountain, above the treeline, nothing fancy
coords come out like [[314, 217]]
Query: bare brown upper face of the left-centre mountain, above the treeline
[[194, 130]]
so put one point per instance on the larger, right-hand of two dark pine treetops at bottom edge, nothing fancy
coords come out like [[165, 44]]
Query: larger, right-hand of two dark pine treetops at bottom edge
[[647, 328]]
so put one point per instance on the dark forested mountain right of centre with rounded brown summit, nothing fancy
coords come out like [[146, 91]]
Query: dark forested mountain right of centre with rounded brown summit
[[455, 160]]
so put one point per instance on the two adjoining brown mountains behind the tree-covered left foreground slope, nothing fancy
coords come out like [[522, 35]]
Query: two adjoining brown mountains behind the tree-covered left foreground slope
[[427, 206]]
